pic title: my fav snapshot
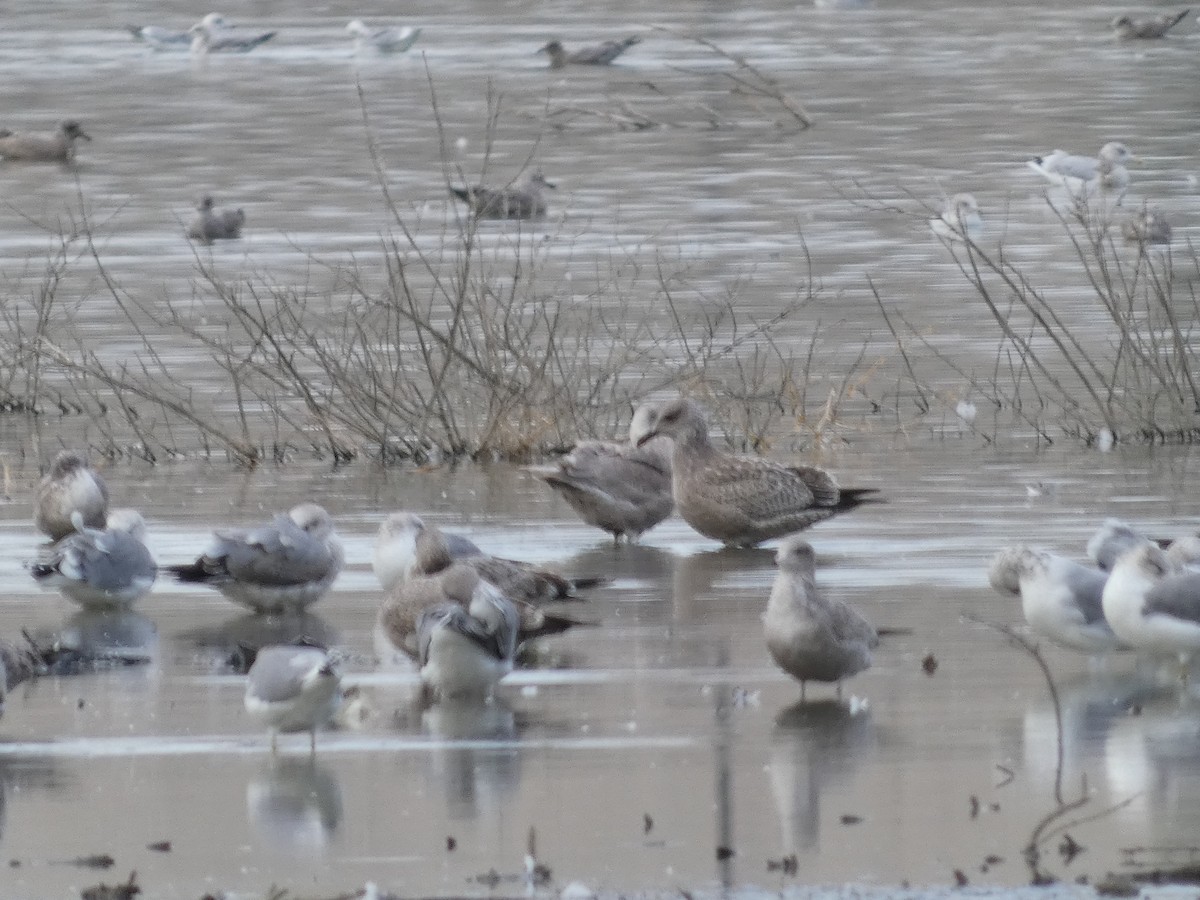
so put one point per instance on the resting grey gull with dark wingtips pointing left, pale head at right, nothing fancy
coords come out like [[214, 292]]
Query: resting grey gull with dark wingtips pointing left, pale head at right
[[283, 567]]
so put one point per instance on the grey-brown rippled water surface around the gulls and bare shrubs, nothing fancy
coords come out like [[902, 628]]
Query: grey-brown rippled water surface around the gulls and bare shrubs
[[641, 746]]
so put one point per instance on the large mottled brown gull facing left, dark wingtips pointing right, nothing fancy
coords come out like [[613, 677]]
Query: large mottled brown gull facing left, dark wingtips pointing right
[[740, 501]]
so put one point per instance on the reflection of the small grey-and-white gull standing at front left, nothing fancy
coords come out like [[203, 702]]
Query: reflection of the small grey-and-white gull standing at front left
[[295, 806]]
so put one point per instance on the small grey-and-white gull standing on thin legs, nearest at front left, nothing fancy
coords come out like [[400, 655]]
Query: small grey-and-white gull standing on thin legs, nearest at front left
[[292, 689]]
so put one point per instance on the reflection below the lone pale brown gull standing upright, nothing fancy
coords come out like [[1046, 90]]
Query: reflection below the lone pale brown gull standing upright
[[814, 747]]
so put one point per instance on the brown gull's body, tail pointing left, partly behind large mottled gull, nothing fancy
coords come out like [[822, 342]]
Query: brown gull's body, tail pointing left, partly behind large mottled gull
[[621, 488]]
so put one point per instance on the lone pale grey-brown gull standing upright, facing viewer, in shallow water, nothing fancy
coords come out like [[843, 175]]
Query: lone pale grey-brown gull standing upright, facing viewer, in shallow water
[[812, 637]]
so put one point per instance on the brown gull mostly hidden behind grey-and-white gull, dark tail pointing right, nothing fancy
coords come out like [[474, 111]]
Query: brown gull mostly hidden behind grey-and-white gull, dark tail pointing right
[[406, 601]]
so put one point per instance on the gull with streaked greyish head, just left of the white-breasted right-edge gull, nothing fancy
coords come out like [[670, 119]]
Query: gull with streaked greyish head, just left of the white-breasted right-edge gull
[[1060, 598]]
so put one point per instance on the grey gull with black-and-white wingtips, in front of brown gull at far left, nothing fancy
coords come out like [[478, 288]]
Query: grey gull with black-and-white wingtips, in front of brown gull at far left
[[101, 569]]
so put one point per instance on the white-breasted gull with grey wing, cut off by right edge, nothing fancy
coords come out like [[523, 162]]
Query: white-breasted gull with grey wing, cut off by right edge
[[1154, 608]]
